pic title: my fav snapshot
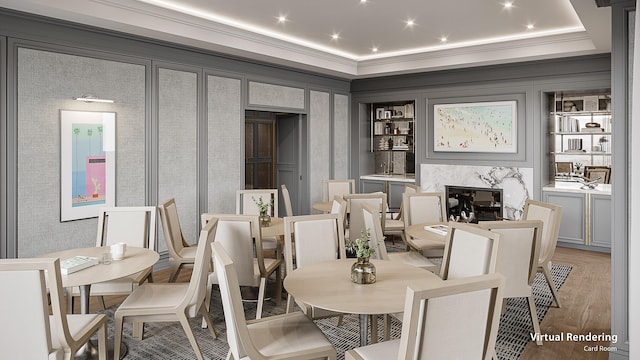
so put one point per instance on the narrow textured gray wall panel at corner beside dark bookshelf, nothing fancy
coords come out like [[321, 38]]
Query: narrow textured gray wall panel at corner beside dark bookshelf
[[340, 136]]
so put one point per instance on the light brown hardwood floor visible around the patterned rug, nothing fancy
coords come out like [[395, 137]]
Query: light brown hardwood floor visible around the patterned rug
[[585, 297]]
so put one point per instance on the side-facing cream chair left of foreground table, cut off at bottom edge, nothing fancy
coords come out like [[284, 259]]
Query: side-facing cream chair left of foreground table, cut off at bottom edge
[[287, 336]]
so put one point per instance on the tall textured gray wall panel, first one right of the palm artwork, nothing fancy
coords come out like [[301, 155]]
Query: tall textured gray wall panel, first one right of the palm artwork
[[178, 147]]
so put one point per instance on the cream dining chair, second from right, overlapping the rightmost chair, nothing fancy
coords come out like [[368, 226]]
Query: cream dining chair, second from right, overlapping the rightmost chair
[[518, 263]]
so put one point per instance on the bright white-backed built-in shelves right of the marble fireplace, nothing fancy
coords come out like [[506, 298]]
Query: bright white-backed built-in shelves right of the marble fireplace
[[581, 130]]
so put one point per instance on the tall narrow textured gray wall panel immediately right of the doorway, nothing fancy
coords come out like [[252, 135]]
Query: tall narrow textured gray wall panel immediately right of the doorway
[[319, 143]]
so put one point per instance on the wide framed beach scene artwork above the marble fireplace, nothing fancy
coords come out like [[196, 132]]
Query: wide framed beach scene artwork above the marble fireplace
[[482, 127]]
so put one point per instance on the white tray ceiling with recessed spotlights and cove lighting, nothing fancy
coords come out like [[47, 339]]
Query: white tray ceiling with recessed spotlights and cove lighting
[[478, 32]]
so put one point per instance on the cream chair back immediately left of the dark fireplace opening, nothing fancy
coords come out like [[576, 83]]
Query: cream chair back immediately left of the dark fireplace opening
[[422, 207]]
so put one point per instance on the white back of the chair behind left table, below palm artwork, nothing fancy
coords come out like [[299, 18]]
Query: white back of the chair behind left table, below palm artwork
[[133, 225]]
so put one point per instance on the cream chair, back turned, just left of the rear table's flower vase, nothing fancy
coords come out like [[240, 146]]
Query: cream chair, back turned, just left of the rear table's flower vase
[[239, 235]]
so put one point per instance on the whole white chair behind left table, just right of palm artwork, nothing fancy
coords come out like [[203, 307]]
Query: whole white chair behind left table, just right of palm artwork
[[133, 225]]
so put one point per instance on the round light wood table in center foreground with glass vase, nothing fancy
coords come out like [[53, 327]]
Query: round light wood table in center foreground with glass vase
[[327, 285]]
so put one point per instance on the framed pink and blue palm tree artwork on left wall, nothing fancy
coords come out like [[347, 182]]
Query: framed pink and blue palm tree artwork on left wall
[[87, 164]]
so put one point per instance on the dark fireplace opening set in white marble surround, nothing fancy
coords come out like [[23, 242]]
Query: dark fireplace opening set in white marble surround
[[486, 204]]
